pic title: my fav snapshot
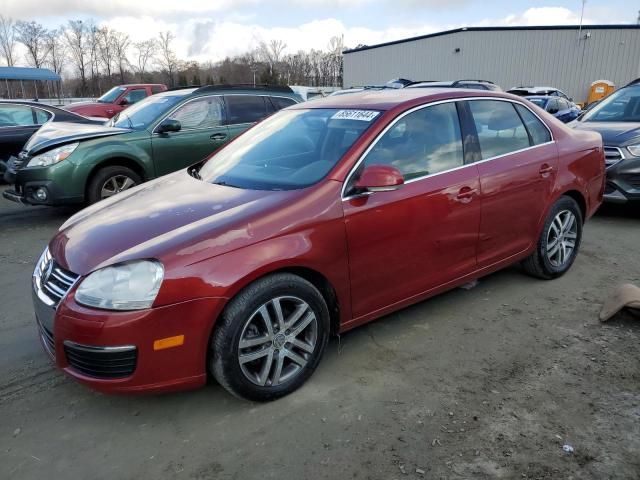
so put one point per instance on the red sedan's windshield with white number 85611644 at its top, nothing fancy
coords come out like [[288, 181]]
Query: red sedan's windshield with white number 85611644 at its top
[[289, 150]]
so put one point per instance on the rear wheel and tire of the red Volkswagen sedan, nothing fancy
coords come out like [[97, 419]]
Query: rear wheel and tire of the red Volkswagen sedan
[[548, 263]]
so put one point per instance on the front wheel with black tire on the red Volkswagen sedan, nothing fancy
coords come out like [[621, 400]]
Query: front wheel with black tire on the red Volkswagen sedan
[[243, 320]]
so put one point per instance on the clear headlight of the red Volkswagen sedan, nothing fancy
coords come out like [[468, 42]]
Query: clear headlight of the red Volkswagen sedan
[[125, 286]]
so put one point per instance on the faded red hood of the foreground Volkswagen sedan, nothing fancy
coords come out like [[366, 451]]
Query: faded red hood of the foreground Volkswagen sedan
[[175, 218]]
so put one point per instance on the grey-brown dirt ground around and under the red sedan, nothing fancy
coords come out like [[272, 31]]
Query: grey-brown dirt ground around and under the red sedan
[[483, 383]]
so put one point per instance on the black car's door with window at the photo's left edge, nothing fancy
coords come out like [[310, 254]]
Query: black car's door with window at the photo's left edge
[[17, 124]]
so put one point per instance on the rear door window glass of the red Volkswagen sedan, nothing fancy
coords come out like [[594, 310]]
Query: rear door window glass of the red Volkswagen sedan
[[500, 130]]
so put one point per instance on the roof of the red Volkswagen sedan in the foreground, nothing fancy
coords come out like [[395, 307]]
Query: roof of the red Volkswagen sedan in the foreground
[[388, 99]]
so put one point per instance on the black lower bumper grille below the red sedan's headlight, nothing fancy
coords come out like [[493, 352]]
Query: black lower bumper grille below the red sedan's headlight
[[101, 362]]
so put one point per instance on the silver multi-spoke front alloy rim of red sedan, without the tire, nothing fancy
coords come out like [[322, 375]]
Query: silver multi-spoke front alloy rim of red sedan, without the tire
[[277, 341]]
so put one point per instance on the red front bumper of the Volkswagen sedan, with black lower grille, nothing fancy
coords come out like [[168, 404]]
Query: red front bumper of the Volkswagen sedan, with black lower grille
[[94, 345]]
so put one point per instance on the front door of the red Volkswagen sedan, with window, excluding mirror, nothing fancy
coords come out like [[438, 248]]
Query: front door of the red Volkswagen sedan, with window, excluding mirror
[[406, 242]]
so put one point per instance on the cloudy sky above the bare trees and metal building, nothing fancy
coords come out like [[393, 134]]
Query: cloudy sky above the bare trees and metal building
[[213, 29]]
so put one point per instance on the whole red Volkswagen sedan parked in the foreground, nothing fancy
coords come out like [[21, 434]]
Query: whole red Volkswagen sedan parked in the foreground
[[321, 218]]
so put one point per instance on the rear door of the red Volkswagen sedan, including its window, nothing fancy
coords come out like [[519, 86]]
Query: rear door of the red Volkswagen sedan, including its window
[[517, 173]]
